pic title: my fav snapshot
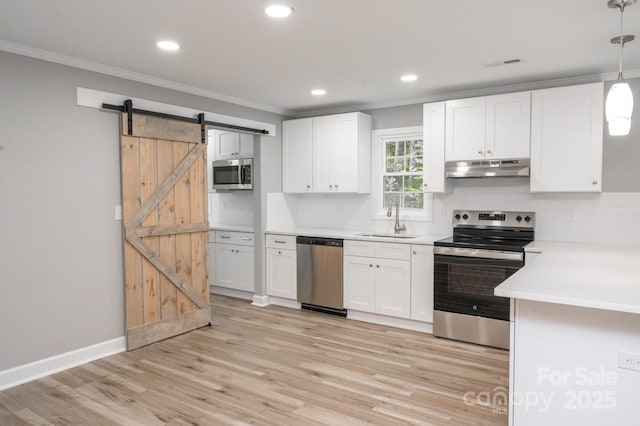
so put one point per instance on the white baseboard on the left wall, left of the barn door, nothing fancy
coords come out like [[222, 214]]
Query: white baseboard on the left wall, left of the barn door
[[47, 366]]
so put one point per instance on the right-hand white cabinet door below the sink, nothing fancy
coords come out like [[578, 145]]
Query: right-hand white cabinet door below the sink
[[393, 287]]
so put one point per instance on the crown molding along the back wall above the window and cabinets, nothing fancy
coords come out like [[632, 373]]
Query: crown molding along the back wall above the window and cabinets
[[485, 91]]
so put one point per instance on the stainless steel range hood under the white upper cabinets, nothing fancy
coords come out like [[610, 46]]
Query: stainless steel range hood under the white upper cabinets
[[487, 168]]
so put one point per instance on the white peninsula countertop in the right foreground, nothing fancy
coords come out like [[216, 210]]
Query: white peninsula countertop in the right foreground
[[588, 275]]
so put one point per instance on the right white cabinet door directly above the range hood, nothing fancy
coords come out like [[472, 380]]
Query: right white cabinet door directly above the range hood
[[508, 126]]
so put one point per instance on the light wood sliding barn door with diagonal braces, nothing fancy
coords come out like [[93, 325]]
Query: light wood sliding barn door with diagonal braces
[[164, 213]]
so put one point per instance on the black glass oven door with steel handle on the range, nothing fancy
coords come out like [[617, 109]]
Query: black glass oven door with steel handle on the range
[[464, 280]]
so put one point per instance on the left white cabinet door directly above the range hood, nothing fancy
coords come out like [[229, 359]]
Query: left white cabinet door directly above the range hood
[[465, 129]]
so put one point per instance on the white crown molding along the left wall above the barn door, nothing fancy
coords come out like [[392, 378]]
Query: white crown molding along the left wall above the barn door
[[74, 62]]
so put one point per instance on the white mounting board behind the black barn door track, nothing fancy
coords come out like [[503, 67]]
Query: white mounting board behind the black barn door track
[[95, 98]]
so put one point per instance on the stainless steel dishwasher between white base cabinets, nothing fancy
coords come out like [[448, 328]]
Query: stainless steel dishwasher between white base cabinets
[[320, 274]]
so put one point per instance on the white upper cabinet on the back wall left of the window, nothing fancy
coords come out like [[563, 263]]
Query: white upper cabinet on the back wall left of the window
[[340, 155]]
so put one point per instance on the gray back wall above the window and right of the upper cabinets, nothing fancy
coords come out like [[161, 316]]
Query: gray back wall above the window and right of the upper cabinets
[[621, 172]]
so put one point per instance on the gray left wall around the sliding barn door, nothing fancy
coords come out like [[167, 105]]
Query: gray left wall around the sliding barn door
[[60, 247]]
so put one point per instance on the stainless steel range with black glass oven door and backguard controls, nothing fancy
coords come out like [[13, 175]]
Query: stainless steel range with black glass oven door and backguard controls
[[487, 247]]
